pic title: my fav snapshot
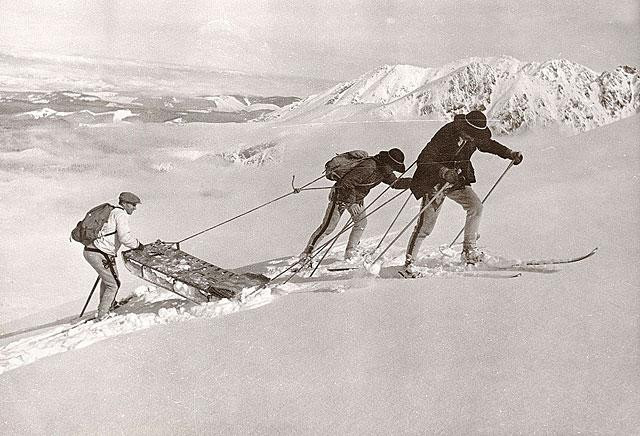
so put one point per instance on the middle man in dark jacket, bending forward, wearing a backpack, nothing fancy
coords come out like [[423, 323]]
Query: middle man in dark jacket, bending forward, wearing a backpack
[[349, 192]]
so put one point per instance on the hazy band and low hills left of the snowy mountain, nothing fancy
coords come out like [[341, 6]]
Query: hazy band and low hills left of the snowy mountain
[[46, 89]]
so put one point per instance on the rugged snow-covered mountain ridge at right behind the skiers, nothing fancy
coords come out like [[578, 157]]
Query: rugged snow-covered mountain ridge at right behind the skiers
[[515, 95]]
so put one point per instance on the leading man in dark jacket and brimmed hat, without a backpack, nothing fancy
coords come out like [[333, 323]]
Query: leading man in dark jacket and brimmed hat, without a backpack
[[446, 158]]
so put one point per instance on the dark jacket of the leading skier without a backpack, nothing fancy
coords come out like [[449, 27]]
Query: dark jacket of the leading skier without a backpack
[[448, 150]]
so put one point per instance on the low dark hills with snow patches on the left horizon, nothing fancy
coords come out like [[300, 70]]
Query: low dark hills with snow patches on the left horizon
[[68, 108]]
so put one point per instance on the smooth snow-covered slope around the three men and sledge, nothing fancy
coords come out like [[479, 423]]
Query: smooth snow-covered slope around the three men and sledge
[[554, 351]]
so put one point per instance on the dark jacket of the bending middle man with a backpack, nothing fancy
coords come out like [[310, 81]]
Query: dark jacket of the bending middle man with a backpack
[[356, 184]]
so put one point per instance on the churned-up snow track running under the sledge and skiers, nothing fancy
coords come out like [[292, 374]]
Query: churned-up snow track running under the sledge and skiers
[[433, 262]]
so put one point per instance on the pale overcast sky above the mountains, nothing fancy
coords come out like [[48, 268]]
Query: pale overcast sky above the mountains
[[326, 39]]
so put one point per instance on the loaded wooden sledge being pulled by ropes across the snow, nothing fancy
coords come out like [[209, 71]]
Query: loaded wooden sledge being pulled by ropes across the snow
[[163, 264]]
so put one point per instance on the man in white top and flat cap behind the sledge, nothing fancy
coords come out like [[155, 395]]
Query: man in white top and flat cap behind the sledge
[[101, 253]]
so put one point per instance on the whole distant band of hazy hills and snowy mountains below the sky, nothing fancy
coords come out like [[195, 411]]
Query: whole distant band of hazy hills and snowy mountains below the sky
[[516, 96]]
